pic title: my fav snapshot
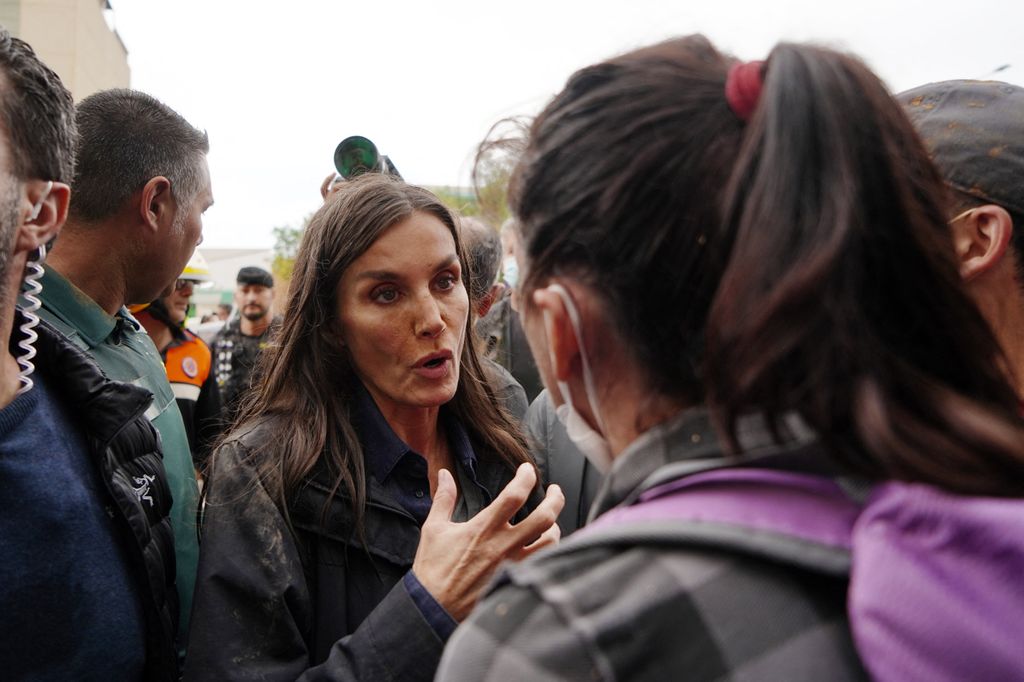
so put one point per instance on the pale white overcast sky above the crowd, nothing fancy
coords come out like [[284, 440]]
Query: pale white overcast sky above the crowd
[[278, 86]]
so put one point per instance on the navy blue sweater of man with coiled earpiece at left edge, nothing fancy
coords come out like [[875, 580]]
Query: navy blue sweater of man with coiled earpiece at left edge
[[69, 607]]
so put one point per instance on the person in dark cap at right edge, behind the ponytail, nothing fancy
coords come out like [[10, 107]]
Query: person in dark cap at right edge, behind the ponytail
[[974, 132]]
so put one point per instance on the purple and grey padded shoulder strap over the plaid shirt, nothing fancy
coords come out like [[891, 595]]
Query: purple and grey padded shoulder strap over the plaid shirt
[[798, 519]]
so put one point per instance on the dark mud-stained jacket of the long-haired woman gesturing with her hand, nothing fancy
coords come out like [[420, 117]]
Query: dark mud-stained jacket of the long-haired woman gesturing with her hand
[[309, 603]]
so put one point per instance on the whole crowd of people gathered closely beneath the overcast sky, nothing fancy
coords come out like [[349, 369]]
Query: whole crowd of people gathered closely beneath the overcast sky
[[737, 394]]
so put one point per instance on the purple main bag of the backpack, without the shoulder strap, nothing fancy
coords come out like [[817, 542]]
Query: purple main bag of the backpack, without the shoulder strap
[[937, 586]]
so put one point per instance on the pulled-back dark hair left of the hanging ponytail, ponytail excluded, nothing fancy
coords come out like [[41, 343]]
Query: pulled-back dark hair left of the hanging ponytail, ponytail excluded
[[618, 186]]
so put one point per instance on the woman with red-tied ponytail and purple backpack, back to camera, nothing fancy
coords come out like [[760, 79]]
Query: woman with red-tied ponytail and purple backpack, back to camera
[[741, 288]]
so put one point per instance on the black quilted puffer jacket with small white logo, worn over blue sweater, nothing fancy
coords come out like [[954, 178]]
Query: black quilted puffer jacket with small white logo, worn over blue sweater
[[125, 448]]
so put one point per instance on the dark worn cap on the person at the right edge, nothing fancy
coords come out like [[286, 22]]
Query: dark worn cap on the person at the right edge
[[974, 132]]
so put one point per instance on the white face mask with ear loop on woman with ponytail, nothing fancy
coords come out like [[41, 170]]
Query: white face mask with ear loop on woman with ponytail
[[594, 447]]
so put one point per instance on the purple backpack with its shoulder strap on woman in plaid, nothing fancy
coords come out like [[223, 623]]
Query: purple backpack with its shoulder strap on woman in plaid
[[936, 580]]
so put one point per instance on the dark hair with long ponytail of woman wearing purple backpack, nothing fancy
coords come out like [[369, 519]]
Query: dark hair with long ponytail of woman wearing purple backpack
[[807, 251]]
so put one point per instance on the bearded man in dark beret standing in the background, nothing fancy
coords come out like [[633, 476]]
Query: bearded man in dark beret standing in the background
[[237, 347]]
